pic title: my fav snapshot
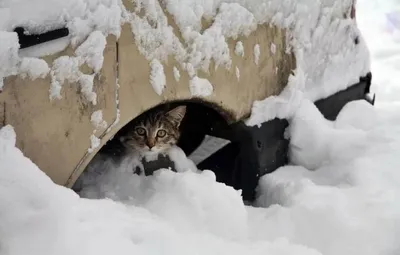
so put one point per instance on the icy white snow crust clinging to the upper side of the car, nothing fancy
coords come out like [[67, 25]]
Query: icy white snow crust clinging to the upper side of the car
[[322, 40]]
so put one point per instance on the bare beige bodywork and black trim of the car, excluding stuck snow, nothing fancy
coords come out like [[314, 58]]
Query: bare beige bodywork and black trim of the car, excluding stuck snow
[[62, 134]]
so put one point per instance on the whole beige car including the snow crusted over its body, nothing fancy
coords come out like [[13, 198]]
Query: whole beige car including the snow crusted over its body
[[77, 81]]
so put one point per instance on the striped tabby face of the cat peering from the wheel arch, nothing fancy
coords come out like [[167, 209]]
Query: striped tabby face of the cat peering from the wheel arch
[[156, 132]]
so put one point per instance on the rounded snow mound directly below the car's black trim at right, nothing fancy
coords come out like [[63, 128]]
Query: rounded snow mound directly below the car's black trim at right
[[316, 141]]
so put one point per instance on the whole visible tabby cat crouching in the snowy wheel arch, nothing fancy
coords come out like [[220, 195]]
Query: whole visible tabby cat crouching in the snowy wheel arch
[[151, 135]]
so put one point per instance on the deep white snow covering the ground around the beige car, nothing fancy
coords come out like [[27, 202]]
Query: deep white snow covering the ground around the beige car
[[341, 200]]
